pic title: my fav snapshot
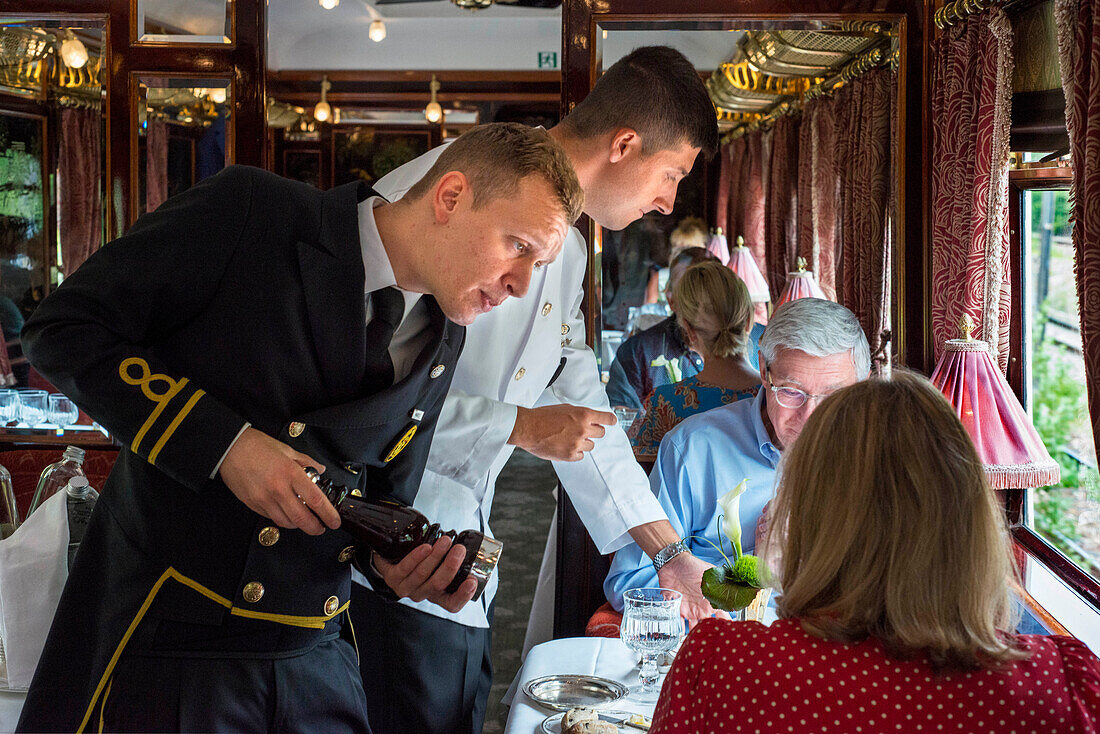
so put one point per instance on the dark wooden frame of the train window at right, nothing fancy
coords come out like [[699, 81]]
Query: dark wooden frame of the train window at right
[[1021, 182]]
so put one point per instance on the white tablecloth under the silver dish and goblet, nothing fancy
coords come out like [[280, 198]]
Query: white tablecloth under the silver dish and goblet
[[607, 658]]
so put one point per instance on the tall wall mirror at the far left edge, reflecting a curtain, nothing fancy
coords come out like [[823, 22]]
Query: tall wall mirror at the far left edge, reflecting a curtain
[[52, 160]]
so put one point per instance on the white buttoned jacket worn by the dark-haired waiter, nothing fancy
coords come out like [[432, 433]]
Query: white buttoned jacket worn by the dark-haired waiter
[[511, 356]]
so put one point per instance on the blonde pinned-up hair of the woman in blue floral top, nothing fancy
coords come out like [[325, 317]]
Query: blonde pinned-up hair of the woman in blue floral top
[[716, 303]]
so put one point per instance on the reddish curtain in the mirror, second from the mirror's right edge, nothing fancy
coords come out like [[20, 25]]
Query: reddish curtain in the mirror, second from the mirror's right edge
[[818, 192]]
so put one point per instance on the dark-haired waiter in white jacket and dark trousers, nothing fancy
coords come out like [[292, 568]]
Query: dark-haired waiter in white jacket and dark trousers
[[526, 379]]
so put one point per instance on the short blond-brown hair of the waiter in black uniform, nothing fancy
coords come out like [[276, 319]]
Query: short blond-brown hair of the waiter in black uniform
[[497, 158]]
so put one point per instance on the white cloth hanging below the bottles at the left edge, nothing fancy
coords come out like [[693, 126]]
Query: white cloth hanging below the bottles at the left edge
[[34, 569]]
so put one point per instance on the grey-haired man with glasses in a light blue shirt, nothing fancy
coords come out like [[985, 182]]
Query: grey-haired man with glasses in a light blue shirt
[[811, 349]]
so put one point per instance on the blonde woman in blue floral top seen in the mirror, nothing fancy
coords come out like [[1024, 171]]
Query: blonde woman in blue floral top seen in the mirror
[[716, 316]]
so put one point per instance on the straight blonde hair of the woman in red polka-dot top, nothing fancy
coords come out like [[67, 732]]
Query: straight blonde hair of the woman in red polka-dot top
[[893, 531]]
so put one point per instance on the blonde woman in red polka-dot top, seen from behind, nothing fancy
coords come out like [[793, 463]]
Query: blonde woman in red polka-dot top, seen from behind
[[896, 611]]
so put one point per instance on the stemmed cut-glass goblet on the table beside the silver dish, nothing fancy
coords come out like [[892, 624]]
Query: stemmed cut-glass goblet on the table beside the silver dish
[[652, 626]]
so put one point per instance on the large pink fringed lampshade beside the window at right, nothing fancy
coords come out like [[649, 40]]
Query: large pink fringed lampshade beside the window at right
[[1011, 451]]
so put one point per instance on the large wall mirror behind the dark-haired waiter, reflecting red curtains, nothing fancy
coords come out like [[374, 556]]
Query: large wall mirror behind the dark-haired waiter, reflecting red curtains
[[808, 167]]
